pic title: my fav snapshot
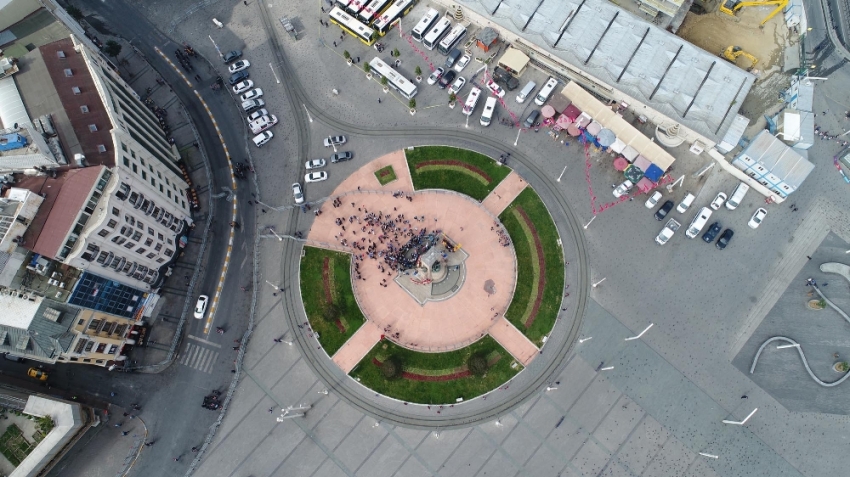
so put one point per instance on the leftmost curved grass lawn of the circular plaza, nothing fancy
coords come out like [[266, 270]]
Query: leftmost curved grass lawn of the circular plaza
[[315, 288]]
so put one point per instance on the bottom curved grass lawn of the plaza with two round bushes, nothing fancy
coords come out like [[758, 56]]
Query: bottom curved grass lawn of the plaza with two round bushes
[[430, 364]]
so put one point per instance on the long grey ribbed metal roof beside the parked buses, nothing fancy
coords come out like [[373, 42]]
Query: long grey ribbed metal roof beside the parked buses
[[685, 83]]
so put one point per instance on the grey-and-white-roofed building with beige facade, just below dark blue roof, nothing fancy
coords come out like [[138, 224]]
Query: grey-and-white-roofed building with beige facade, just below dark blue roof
[[48, 331]]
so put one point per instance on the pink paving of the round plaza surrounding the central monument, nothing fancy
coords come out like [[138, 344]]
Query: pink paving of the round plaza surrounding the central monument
[[436, 326]]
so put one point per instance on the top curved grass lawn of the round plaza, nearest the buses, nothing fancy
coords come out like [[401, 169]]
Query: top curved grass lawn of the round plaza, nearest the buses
[[460, 170]]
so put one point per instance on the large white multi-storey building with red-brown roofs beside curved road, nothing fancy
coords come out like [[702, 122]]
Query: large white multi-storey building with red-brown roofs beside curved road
[[121, 212]]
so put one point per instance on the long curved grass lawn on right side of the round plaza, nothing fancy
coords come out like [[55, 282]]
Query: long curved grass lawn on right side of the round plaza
[[525, 293]]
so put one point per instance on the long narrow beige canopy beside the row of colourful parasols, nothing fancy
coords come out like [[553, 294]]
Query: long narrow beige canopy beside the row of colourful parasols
[[619, 126]]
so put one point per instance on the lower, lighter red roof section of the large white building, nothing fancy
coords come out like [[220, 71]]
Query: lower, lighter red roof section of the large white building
[[64, 197]]
